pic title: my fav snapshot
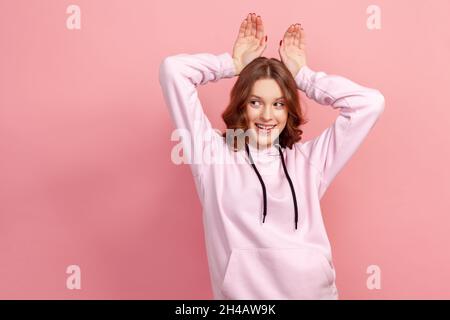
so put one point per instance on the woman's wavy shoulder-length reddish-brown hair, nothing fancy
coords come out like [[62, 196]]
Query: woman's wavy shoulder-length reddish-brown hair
[[234, 115]]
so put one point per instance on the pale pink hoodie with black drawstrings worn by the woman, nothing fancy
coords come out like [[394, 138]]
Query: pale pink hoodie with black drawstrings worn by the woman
[[249, 258]]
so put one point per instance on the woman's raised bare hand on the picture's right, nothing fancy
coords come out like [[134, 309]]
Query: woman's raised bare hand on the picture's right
[[292, 49]]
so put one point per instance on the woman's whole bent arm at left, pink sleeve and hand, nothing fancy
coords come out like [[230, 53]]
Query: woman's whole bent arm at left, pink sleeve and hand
[[179, 76]]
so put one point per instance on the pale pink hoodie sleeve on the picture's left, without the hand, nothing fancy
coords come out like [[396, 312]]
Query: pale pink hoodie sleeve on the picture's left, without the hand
[[179, 76]]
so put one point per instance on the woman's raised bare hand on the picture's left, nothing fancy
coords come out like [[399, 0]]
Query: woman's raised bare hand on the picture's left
[[250, 43]]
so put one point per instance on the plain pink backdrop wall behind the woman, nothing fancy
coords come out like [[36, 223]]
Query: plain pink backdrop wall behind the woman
[[85, 170]]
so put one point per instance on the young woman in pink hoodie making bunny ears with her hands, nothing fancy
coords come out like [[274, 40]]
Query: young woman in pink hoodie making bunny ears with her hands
[[264, 233]]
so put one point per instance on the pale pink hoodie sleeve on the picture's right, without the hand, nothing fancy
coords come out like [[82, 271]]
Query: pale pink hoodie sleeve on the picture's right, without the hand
[[359, 109]]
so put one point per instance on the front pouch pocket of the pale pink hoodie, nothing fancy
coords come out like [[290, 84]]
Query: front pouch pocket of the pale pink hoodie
[[278, 273]]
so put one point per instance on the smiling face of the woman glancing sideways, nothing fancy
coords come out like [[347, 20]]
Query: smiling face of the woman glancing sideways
[[266, 112]]
